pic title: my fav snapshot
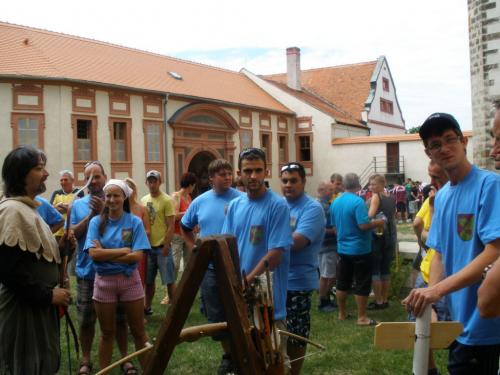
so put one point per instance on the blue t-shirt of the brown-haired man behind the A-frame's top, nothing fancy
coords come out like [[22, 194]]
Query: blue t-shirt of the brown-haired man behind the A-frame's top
[[209, 211]]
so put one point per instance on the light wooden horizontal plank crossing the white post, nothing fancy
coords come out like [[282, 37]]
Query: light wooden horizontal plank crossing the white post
[[401, 335]]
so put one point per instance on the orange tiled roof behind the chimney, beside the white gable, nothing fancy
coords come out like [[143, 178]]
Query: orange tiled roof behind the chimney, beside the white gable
[[346, 87]]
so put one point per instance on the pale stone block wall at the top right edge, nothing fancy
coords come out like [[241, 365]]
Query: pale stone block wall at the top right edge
[[484, 44]]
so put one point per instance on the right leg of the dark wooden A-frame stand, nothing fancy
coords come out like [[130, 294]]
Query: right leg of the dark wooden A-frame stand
[[243, 350]]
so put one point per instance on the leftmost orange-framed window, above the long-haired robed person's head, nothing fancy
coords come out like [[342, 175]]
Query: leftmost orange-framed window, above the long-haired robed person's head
[[27, 129]]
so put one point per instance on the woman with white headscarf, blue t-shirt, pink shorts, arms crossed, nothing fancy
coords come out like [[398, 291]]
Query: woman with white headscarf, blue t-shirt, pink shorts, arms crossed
[[115, 241]]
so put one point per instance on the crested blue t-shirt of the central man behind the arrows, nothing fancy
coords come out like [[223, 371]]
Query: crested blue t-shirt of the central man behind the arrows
[[260, 225]]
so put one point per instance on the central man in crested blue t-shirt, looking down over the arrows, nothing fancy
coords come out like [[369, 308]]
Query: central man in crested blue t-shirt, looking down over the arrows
[[260, 220]]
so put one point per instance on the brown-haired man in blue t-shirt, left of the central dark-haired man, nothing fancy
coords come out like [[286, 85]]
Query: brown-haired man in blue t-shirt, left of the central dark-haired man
[[208, 211]]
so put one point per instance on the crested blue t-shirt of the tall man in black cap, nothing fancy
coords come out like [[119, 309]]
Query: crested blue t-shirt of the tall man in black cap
[[466, 217]]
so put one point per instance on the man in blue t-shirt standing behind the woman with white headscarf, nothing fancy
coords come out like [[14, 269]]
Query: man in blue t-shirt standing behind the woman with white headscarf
[[82, 211]]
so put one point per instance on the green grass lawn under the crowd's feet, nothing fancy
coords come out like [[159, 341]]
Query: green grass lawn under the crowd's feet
[[349, 348]]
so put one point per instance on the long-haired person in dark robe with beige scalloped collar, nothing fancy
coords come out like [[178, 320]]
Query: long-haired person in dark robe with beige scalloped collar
[[29, 271]]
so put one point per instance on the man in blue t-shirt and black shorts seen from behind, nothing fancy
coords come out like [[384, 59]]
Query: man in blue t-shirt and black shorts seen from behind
[[350, 219]]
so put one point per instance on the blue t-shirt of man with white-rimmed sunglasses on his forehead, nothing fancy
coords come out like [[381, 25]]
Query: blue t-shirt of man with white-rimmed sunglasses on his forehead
[[307, 218]]
